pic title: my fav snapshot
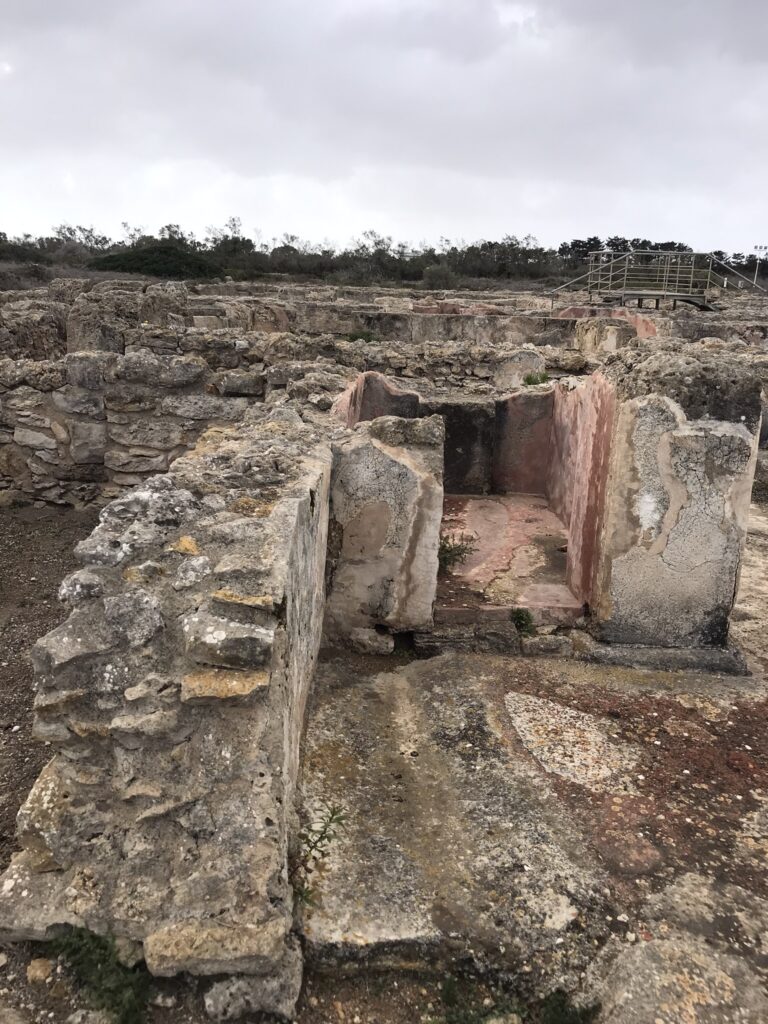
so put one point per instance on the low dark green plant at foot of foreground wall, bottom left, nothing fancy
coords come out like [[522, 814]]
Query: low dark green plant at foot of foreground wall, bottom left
[[93, 960]]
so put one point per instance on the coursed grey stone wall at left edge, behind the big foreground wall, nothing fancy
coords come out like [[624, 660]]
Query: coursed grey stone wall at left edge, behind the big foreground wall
[[75, 429]]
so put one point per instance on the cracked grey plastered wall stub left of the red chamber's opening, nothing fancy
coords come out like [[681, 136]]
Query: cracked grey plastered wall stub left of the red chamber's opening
[[387, 507]]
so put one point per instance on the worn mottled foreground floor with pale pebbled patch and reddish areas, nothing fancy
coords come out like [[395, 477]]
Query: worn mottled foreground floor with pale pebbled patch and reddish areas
[[564, 824]]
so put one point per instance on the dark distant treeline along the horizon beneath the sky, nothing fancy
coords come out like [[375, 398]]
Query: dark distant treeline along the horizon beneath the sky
[[175, 253]]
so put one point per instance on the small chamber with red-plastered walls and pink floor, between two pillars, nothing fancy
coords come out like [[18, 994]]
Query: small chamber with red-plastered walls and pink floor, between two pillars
[[509, 472]]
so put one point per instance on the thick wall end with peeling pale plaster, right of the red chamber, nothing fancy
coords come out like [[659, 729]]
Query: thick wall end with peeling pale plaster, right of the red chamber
[[682, 464]]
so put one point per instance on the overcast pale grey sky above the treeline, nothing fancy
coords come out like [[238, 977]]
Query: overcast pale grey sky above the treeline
[[416, 118]]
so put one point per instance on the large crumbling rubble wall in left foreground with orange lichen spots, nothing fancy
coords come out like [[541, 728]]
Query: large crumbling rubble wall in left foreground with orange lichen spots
[[174, 698]]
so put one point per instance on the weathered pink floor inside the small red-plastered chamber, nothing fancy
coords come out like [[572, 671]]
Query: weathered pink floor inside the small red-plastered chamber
[[519, 561]]
